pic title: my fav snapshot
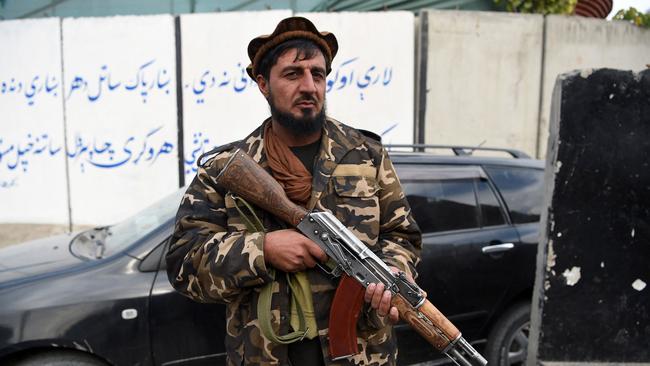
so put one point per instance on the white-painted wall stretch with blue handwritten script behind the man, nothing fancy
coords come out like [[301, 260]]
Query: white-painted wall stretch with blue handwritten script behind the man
[[117, 102]]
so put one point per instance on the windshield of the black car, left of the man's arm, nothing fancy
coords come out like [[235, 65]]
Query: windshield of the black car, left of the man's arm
[[104, 241]]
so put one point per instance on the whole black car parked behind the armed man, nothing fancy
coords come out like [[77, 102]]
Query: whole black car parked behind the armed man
[[102, 296]]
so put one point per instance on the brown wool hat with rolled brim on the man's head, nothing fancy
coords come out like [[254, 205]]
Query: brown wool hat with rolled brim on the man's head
[[291, 28]]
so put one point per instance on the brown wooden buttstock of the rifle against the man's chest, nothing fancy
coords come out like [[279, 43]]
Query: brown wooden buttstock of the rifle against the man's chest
[[244, 177]]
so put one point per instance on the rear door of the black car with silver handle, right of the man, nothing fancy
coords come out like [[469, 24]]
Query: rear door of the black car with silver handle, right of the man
[[467, 244]]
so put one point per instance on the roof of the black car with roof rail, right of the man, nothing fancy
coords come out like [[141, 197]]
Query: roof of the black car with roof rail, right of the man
[[402, 157]]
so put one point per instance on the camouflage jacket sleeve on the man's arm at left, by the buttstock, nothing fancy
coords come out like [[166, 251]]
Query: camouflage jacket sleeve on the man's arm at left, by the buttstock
[[209, 261]]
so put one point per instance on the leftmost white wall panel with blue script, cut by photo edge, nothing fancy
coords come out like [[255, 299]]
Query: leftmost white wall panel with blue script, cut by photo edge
[[32, 155]]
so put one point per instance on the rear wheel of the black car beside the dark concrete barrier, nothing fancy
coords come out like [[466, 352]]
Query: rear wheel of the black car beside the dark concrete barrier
[[507, 343]]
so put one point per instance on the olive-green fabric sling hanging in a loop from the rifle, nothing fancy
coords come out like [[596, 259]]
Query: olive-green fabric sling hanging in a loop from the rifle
[[301, 301]]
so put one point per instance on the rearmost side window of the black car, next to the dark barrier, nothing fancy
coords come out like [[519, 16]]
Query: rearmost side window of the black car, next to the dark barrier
[[522, 189]]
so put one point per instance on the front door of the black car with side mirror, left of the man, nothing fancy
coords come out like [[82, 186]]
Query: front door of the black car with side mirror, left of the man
[[183, 331]]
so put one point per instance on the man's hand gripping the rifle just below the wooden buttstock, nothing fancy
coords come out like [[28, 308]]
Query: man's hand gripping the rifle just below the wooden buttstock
[[290, 251]]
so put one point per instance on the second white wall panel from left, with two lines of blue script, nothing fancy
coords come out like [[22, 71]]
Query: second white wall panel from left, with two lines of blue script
[[120, 93]]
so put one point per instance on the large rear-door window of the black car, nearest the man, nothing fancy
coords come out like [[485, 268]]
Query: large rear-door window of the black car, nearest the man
[[442, 205]]
